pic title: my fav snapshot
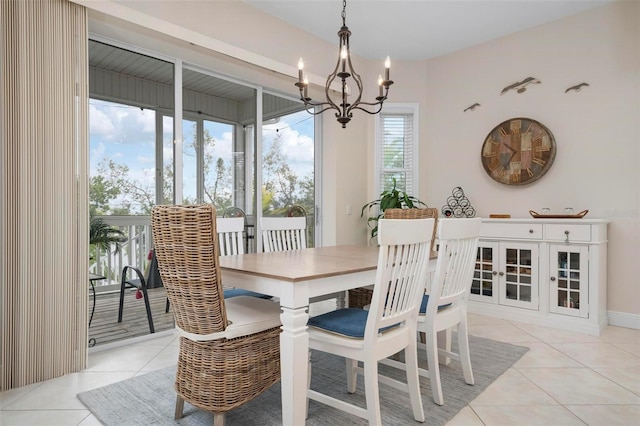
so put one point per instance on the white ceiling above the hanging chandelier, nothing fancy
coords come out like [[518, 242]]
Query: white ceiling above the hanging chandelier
[[419, 29]]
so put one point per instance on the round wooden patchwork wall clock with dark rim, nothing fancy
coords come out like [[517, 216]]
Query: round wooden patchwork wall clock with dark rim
[[518, 151]]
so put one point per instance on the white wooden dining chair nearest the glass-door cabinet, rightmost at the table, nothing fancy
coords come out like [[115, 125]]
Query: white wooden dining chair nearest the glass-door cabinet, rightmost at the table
[[445, 305]]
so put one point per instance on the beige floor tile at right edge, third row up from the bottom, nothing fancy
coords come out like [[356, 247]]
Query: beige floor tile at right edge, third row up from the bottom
[[599, 354]]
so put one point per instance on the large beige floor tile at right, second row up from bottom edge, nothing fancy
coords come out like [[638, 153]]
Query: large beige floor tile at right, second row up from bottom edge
[[579, 386]]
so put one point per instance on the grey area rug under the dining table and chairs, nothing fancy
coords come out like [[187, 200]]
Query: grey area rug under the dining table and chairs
[[150, 399]]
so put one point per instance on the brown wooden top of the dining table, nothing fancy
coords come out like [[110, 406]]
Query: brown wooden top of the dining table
[[304, 265]]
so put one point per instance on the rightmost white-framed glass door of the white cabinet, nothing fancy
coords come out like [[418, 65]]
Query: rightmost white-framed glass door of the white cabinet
[[568, 280]]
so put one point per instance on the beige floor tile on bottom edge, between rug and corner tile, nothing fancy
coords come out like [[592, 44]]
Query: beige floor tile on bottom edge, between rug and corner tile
[[511, 415]]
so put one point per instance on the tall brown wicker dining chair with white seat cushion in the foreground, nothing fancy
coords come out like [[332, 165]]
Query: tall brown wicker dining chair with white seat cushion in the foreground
[[229, 348]]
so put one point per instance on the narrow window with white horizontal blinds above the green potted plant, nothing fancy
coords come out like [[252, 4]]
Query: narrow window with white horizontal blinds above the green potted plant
[[395, 154]]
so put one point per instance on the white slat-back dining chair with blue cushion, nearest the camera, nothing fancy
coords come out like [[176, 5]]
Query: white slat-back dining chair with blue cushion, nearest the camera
[[388, 327]]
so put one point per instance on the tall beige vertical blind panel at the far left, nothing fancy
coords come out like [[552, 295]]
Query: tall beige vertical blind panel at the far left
[[44, 221]]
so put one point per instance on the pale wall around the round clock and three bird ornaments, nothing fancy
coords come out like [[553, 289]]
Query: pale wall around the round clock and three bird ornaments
[[597, 130]]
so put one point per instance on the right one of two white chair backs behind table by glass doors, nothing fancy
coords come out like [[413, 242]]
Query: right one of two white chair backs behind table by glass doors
[[283, 233]]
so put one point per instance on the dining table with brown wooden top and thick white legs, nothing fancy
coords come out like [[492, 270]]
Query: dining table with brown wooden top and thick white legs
[[294, 277]]
